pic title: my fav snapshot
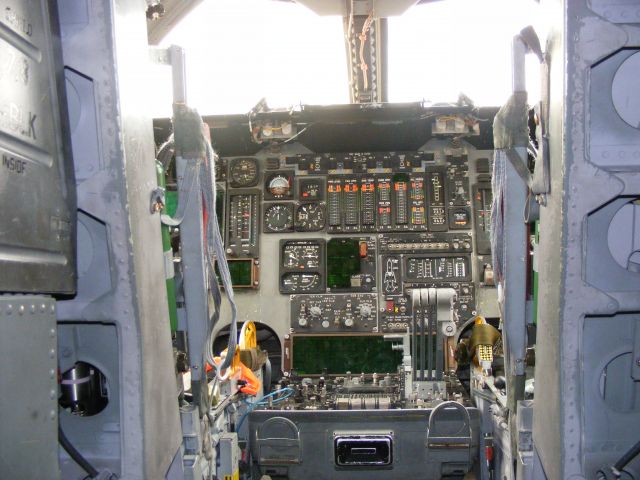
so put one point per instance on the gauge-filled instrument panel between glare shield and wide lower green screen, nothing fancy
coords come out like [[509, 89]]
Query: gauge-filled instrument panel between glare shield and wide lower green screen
[[342, 239]]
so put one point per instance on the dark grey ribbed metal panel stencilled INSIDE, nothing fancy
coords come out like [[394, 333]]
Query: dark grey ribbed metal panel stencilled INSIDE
[[37, 214]]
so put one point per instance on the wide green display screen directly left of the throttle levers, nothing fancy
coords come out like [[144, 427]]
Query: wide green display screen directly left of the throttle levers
[[314, 355]]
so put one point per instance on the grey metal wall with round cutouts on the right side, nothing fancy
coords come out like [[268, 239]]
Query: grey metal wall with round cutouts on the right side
[[586, 413]]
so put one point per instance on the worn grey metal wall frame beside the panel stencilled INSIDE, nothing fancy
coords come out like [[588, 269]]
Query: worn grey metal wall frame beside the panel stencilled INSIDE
[[119, 319]]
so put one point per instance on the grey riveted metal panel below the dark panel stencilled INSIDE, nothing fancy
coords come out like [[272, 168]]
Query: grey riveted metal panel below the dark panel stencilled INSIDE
[[29, 386]]
